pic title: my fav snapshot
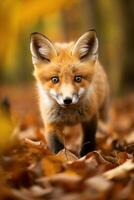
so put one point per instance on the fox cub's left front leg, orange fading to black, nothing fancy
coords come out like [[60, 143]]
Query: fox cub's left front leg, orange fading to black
[[54, 138]]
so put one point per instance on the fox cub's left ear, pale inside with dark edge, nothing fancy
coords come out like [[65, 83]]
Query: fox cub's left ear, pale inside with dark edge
[[41, 48]]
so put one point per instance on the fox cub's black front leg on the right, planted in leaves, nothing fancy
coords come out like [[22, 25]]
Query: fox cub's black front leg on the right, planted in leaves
[[89, 132]]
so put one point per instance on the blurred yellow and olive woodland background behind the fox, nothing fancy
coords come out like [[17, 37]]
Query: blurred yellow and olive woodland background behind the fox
[[64, 20]]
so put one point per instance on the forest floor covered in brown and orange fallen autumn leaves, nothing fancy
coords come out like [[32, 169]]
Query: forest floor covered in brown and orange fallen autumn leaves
[[30, 171]]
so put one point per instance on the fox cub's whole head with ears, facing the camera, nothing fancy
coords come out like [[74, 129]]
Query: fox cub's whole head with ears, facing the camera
[[65, 71]]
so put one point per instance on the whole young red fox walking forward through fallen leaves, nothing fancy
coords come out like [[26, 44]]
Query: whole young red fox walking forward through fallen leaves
[[72, 87]]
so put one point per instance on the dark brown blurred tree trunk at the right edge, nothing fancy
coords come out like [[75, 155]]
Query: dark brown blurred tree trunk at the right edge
[[128, 65]]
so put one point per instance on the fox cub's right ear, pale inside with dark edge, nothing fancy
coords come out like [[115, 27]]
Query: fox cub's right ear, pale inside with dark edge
[[86, 47]]
